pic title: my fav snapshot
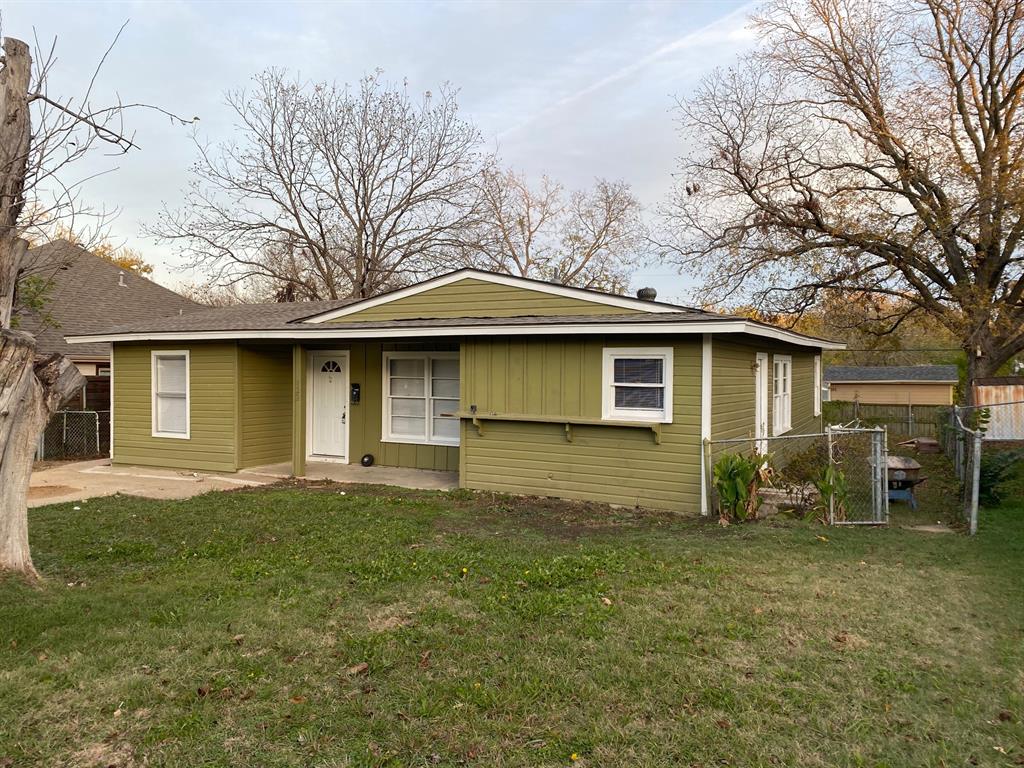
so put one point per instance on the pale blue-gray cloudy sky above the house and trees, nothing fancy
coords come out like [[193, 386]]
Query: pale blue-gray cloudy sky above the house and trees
[[575, 91]]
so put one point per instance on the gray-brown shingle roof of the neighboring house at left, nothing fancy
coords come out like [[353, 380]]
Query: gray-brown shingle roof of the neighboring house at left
[[88, 296]]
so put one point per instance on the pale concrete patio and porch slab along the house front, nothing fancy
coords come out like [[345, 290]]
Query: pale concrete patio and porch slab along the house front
[[79, 481]]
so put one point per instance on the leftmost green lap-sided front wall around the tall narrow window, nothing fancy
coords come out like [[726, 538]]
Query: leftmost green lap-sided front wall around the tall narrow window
[[212, 409]]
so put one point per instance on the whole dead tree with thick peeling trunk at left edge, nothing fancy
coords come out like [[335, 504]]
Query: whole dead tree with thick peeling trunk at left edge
[[40, 137]]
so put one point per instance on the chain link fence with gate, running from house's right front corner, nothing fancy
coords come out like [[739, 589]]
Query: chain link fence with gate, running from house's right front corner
[[840, 475]]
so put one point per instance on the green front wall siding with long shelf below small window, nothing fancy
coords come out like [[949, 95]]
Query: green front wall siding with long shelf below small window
[[618, 465]]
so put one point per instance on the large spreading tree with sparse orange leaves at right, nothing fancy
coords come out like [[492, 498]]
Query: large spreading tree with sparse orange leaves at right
[[874, 148]]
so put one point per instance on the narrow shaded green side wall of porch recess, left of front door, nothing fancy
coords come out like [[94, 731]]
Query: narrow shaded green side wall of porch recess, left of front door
[[266, 405]]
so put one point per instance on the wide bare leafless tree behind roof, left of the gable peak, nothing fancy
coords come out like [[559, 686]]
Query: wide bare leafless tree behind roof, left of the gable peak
[[337, 192]]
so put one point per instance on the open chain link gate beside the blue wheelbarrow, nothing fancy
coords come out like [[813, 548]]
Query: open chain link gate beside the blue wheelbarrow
[[859, 459]]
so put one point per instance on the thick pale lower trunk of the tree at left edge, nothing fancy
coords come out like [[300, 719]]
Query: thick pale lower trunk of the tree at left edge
[[31, 390]]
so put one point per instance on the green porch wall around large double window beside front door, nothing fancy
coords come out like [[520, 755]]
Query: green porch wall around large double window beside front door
[[366, 417]]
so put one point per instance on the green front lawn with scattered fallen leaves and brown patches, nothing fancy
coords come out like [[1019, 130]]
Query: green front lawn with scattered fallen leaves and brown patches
[[382, 628]]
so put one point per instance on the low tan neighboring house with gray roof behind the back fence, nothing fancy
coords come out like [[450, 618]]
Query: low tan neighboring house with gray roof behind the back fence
[[893, 386]]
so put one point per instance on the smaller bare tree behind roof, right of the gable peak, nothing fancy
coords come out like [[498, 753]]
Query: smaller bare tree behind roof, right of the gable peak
[[589, 239]]
